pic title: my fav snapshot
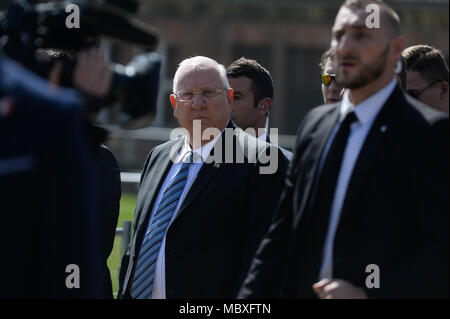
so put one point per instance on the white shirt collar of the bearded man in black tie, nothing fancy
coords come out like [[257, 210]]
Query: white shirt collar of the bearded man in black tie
[[368, 109]]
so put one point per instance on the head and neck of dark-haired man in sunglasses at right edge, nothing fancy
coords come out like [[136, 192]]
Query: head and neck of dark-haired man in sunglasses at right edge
[[427, 76]]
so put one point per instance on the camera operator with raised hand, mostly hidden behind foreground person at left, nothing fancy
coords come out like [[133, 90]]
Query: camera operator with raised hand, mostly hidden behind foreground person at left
[[92, 75]]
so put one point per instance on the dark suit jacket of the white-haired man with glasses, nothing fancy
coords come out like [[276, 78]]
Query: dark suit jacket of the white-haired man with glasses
[[210, 244]]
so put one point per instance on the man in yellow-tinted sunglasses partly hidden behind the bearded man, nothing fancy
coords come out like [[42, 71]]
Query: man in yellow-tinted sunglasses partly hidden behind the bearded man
[[331, 90]]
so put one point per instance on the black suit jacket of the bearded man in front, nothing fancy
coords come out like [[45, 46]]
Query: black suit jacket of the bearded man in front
[[395, 213]]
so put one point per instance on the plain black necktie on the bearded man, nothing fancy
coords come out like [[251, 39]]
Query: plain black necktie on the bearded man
[[321, 207]]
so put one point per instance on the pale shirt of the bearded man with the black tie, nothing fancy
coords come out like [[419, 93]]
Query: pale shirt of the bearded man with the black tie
[[366, 112]]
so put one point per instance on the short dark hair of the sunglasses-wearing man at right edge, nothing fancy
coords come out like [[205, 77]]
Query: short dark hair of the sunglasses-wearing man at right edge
[[428, 61]]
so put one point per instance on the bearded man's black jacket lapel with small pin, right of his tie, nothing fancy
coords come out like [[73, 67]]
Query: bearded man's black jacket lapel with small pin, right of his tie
[[381, 129]]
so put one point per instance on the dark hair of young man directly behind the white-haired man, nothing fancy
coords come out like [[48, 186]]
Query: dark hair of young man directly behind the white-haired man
[[262, 82]]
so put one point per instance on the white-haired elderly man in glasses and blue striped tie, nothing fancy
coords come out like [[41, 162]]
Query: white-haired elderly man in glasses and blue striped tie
[[205, 199]]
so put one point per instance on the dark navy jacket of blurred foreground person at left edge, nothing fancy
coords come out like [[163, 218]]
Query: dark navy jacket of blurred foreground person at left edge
[[48, 195]]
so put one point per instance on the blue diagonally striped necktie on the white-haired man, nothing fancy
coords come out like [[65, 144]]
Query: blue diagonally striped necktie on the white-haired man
[[142, 286]]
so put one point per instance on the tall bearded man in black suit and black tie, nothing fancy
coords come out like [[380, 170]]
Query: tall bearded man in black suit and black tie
[[364, 212]]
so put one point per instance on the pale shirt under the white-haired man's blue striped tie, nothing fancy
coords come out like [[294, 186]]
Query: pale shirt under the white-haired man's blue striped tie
[[199, 155]]
